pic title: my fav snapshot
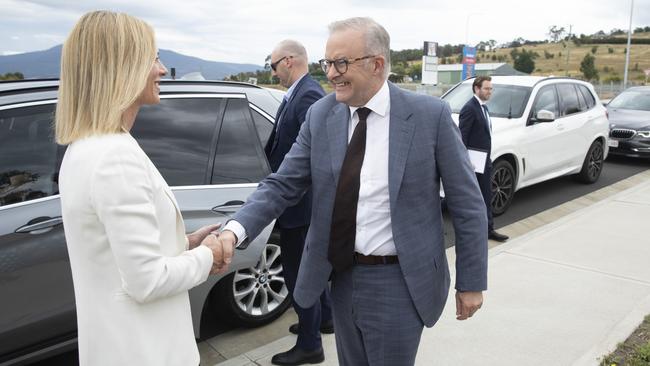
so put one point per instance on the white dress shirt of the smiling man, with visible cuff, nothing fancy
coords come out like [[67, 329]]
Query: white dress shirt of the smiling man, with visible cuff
[[374, 235]]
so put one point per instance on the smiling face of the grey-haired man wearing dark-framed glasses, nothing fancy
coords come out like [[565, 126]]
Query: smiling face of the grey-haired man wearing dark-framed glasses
[[357, 85]]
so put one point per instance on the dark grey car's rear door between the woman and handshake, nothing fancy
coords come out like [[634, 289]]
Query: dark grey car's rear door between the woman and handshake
[[207, 149]]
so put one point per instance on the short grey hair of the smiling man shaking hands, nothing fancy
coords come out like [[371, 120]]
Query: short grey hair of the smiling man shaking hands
[[376, 37]]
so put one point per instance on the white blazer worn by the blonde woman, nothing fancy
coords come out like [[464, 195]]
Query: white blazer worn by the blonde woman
[[128, 252]]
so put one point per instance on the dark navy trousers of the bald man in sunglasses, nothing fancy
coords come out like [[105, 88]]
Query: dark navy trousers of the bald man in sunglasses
[[292, 242]]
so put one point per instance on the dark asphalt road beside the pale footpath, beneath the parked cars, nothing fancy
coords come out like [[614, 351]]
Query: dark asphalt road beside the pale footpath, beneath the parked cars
[[527, 202]]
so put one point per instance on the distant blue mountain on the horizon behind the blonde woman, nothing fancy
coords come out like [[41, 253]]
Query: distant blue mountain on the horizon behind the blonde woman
[[46, 64]]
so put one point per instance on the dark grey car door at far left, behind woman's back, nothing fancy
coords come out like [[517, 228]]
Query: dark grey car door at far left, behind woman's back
[[36, 286]]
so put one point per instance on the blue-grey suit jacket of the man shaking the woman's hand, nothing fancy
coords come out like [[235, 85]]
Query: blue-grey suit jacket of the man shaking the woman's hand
[[424, 147]]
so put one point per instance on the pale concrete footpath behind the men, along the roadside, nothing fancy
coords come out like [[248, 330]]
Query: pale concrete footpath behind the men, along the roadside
[[571, 284]]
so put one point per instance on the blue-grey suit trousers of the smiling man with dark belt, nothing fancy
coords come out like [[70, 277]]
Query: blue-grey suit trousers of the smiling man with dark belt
[[375, 319]]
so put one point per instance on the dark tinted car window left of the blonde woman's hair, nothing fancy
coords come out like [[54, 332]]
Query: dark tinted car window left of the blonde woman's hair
[[28, 154]]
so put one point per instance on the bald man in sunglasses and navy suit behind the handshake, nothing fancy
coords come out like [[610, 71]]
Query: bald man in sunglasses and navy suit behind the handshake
[[289, 63]]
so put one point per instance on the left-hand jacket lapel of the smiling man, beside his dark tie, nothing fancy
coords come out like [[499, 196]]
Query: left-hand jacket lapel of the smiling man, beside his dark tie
[[337, 132]]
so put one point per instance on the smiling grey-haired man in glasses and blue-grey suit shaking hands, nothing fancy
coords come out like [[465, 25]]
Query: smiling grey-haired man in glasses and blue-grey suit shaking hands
[[373, 156]]
